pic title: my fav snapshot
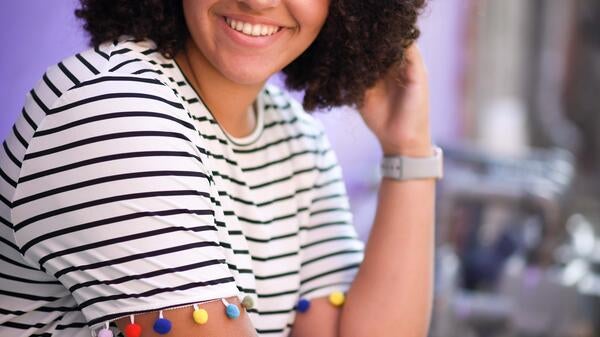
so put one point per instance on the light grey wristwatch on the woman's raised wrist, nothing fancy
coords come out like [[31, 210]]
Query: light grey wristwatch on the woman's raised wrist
[[405, 168]]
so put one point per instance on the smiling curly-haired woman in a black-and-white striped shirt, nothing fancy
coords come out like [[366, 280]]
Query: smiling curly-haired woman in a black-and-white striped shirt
[[154, 184]]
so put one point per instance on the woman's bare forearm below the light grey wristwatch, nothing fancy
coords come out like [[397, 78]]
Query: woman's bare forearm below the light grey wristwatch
[[392, 293]]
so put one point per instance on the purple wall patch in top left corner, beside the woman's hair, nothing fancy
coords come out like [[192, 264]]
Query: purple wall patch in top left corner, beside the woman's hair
[[34, 34]]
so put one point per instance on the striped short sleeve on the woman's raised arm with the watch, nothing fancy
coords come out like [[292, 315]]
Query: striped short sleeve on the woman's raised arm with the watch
[[331, 252]]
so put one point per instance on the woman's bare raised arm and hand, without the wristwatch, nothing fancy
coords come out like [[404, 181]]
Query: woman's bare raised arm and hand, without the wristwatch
[[392, 292]]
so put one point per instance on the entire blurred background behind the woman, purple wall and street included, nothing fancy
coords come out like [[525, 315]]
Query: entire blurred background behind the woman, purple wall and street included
[[515, 89]]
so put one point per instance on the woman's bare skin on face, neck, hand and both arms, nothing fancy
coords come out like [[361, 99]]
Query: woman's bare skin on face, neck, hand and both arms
[[392, 292]]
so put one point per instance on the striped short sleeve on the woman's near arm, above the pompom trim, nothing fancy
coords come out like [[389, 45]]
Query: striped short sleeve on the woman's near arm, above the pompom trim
[[113, 201]]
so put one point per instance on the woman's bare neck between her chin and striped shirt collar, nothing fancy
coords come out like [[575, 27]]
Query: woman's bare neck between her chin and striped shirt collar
[[227, 101]]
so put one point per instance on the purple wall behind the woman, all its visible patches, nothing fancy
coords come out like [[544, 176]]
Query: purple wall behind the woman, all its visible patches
[[37, 33]]
